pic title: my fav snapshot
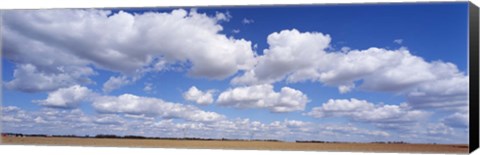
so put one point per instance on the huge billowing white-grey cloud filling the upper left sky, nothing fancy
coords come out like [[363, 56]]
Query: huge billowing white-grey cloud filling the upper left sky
[[120, 42]]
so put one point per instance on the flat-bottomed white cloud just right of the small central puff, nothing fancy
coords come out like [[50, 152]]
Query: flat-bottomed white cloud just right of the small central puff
[[263, 96]]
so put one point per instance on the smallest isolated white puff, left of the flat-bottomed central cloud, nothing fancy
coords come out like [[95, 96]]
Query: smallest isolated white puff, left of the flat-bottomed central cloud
[[198, 96]]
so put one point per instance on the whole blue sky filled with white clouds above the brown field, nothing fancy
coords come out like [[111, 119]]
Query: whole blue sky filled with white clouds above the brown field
[[358, 73]]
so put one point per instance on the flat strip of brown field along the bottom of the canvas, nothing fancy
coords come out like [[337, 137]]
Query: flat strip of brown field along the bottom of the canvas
[[242, 145]]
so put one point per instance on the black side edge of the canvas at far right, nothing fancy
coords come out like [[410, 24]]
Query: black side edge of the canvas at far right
[[474, 77]]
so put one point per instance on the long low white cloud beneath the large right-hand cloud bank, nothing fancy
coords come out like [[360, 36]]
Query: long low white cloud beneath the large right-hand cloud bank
[[361, 110]]
